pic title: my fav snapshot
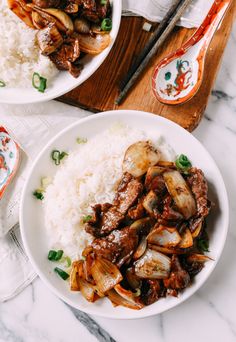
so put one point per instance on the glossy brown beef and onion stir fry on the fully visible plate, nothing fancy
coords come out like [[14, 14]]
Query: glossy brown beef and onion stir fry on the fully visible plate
[[147, 243]]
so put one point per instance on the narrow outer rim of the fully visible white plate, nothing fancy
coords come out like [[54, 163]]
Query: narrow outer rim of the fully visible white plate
[[91, 311]]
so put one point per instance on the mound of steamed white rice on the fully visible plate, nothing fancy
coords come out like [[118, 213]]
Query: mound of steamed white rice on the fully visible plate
[[89, 175]]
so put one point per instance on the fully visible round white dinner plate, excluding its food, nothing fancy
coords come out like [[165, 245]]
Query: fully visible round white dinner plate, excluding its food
[[31, 212]]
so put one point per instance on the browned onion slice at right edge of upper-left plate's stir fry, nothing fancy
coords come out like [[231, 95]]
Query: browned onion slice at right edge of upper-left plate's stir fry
[[94, 45]]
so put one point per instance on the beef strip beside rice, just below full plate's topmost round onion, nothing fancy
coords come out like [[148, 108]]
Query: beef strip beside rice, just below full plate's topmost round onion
[[128, 193]]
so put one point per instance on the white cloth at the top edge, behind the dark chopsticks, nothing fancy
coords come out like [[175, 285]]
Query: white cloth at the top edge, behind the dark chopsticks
[[154, 10]]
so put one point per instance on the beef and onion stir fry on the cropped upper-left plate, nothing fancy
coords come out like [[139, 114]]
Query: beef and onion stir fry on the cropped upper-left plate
[[67, 29]]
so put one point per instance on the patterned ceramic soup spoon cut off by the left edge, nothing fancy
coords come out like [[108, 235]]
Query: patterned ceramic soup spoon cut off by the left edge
[[9, 159]]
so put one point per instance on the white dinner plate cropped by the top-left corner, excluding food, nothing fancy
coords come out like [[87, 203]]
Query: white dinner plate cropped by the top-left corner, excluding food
[[64, 82]]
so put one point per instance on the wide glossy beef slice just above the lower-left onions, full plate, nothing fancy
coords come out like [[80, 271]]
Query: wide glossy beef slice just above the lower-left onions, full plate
[[118, 246]]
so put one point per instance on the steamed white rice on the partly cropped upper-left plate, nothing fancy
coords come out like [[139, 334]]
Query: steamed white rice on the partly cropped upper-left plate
[[20, 56]]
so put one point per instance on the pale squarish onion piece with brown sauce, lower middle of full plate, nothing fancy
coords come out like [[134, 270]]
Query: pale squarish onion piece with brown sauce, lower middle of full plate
[[153, 265]]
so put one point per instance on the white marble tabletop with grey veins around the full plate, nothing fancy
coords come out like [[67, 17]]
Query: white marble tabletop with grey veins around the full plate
[[36, 315]]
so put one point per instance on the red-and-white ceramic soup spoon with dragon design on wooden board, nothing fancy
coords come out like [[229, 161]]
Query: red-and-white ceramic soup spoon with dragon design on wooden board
[[178, 77]]
